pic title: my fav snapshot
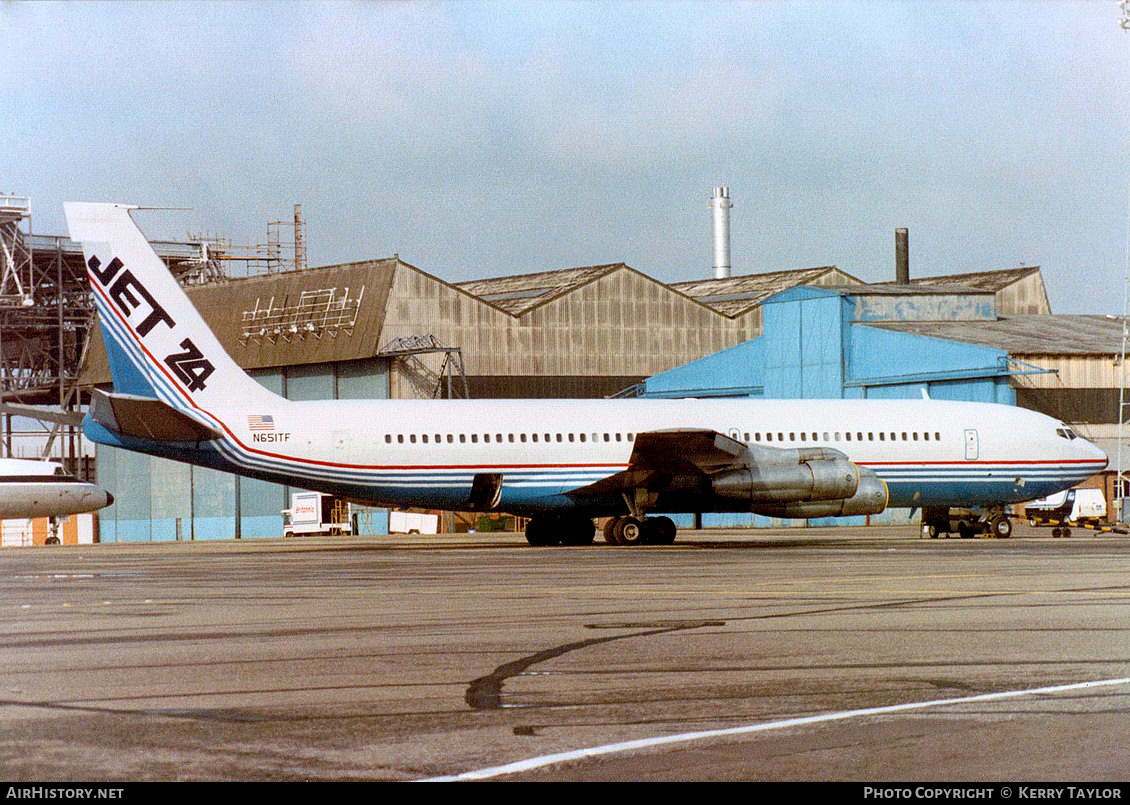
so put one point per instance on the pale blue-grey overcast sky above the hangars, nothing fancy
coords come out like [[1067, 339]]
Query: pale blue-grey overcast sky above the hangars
[[485, 140]]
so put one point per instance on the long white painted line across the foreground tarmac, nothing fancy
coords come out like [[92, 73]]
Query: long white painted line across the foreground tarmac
[[764, 728]]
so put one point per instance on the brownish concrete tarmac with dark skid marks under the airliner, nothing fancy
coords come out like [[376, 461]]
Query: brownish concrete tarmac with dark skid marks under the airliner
[[406, 659]]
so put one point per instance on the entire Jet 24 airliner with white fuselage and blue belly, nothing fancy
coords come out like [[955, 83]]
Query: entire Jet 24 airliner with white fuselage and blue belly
[[177, 394]]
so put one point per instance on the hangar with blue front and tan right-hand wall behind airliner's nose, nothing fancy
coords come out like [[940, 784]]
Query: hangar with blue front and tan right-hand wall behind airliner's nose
[[900, 341]]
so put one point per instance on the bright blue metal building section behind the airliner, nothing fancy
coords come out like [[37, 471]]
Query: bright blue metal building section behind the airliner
[[823, 343]]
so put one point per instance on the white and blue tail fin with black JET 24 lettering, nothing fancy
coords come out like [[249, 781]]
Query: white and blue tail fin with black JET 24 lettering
[[158, 343]]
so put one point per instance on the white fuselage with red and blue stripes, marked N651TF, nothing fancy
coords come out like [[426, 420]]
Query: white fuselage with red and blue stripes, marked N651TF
[[428, 453]]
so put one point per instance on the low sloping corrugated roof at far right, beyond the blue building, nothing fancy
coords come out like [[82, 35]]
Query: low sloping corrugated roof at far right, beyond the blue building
[[1037, 334]]
